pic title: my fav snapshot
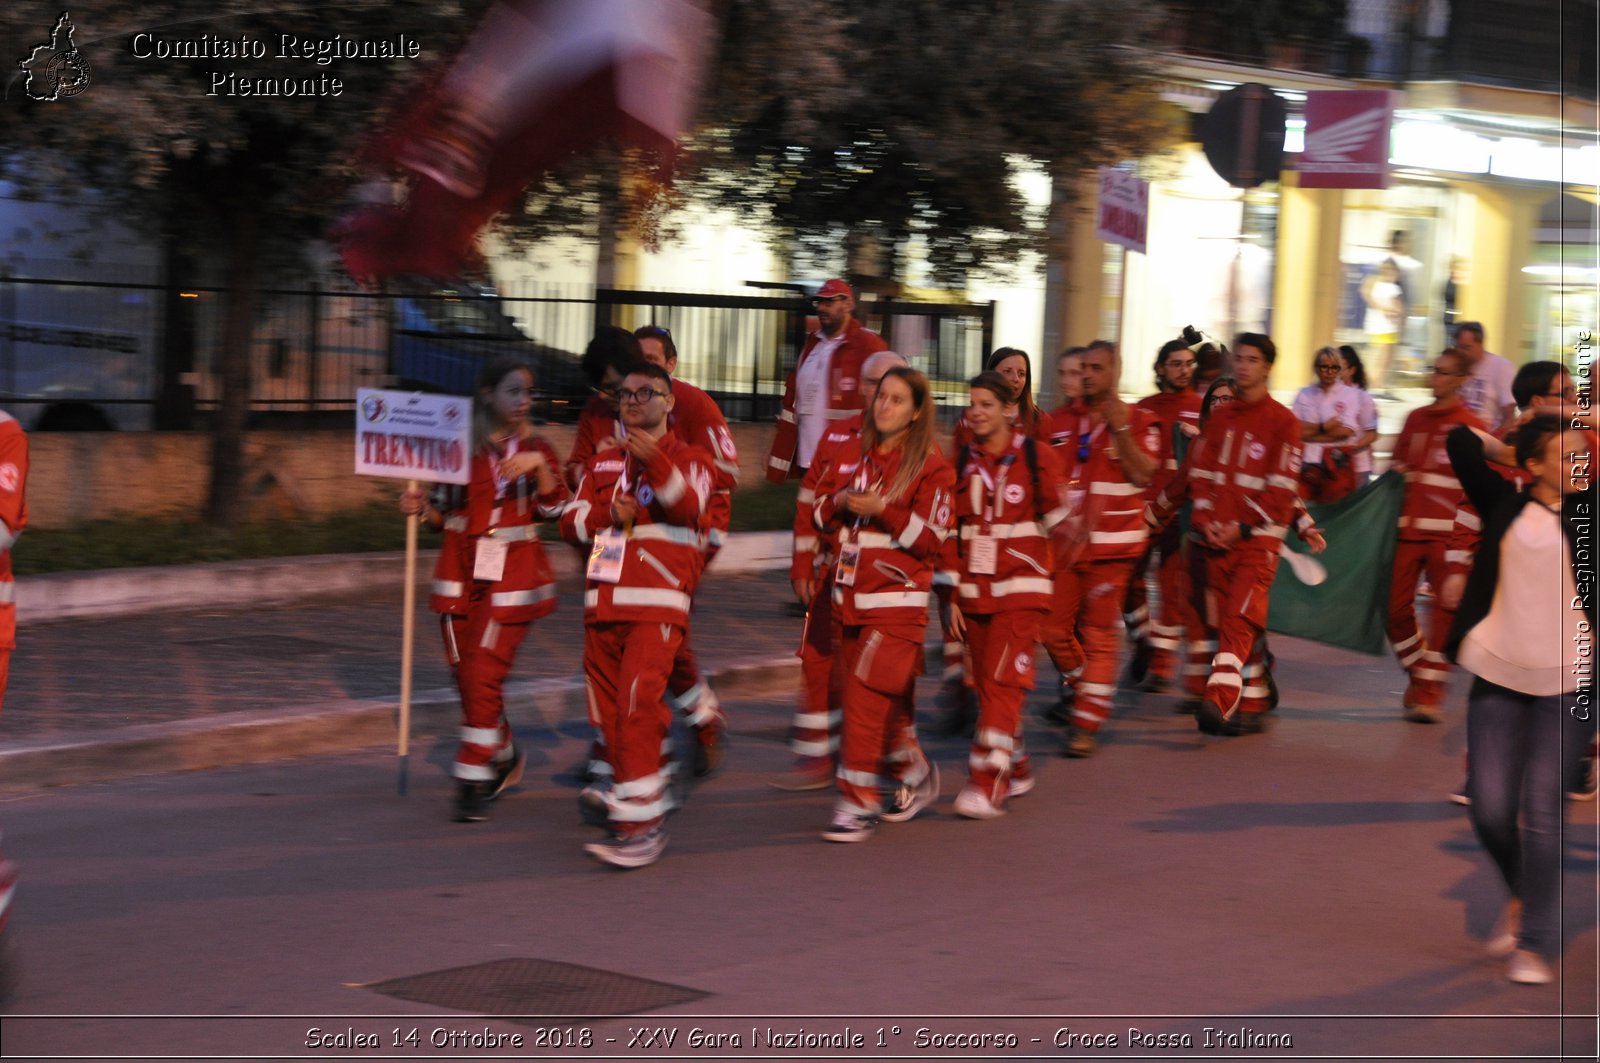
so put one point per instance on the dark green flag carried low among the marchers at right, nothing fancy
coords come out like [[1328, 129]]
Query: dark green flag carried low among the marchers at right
[[1351, 608]]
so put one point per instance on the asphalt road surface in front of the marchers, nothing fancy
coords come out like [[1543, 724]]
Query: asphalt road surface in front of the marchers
[[1303, 894]]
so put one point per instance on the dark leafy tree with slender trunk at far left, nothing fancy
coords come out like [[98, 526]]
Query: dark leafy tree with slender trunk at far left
[[238, 159]]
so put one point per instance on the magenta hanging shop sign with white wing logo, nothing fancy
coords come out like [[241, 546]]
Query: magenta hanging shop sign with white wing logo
[[1346, 140]]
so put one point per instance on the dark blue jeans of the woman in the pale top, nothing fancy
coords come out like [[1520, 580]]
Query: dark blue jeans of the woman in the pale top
[[1522, 752]]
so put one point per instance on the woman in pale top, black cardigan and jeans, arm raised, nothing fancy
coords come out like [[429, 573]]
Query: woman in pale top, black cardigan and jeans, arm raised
[[1527, 635]]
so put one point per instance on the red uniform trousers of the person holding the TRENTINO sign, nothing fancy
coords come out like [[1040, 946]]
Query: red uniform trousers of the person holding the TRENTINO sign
[[486, 651]]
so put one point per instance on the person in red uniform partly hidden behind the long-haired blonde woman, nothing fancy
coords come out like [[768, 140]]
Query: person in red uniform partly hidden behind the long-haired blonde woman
[[817, 723]]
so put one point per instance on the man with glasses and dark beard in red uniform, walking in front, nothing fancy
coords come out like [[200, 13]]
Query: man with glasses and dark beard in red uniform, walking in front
[[642, 510]]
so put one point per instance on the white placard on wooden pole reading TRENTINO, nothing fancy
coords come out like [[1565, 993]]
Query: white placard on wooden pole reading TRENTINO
[[412, 436]]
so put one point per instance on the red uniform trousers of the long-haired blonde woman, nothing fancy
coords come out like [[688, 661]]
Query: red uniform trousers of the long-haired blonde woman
[[881, 676]]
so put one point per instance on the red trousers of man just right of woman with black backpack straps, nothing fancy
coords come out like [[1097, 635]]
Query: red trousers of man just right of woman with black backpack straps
[[1092, 593]]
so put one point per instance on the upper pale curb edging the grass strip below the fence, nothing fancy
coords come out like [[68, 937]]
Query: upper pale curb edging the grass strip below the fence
[[286, 580]]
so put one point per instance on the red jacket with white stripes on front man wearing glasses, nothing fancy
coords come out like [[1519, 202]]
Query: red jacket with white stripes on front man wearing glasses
[[666, 545]]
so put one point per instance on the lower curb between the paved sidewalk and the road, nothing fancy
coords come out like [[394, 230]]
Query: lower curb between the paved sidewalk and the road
[[255, 737]]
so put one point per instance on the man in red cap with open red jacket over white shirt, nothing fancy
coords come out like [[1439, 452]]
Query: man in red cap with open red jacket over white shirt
[[825, 385]]
